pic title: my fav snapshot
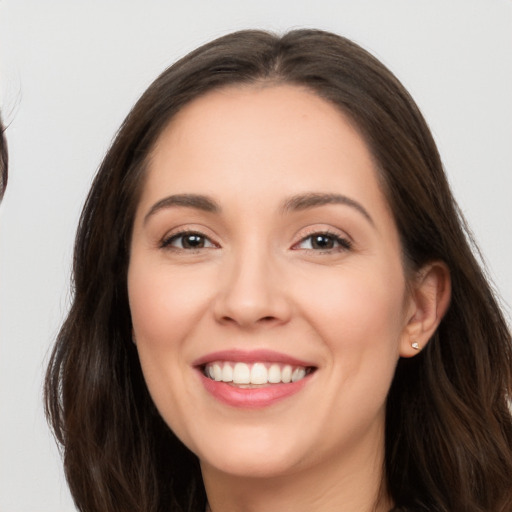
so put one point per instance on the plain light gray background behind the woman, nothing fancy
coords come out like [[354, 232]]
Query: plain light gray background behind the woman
[[70, 71]]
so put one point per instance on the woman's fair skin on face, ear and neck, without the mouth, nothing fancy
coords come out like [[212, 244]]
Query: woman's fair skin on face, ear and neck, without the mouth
[[259, 283]]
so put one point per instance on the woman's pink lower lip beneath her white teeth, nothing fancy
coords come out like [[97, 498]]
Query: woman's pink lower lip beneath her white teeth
[[251, 398]]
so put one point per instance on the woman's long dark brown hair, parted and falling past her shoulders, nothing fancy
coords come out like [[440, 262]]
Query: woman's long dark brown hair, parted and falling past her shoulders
[[448, 425]]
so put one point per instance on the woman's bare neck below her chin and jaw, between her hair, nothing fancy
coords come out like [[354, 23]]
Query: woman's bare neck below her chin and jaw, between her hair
[[355, 484]]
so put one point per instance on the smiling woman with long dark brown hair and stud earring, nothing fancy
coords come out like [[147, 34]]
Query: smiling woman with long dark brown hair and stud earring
[[275, 304]]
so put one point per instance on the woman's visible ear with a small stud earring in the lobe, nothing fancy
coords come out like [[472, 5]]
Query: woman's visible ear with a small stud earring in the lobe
[[428, 302]]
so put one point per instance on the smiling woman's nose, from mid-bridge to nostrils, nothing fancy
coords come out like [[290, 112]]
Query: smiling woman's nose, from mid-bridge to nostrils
[[252, 292]]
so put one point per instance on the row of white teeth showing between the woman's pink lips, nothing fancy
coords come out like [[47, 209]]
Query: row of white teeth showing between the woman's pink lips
[[250, 375]]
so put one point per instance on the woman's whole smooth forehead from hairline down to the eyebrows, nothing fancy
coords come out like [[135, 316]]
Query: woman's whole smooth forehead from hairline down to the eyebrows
[[253, 147]]
